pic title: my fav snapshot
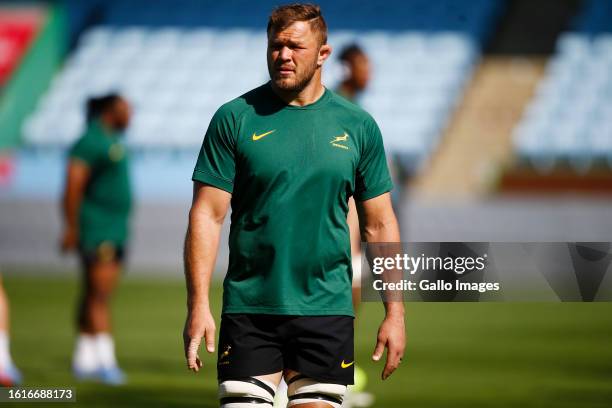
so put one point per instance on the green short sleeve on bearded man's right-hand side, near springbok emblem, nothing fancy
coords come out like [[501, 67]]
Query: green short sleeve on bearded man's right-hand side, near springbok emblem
[[372, 178]]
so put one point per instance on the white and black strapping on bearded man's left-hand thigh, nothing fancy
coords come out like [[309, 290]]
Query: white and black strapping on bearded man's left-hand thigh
[[246, 394]]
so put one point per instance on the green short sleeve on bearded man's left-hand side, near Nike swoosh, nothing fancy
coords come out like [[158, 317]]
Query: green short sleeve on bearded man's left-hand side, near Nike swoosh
[[216, 164]]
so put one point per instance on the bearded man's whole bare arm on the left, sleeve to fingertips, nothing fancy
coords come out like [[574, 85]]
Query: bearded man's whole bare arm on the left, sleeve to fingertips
[[206, 217]]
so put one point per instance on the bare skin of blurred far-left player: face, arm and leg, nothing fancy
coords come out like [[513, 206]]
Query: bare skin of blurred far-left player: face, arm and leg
[[102, 276]]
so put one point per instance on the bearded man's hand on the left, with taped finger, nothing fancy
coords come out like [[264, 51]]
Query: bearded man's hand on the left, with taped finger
[[199, 323]]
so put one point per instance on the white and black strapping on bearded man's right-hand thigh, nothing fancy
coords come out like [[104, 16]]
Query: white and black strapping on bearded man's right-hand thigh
[[307, 390]]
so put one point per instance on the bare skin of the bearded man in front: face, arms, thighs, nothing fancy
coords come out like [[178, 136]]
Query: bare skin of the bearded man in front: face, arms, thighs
[[293, 54]]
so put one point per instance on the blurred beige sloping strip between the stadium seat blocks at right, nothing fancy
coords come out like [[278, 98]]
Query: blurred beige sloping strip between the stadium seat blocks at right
[[478, 139]]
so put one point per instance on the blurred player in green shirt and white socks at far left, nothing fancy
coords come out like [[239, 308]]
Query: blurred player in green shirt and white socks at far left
[[97, 203]]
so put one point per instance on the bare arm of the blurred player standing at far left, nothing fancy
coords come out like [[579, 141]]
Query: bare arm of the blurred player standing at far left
[[77, 176]]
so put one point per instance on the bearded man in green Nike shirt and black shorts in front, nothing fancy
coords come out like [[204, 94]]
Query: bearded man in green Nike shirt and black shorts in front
[[287, 156]]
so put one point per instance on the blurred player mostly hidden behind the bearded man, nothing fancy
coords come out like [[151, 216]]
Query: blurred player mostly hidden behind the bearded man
[[357, 73]]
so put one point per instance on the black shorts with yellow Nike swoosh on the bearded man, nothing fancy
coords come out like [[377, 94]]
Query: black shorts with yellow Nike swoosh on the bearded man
[[319, 347]]
